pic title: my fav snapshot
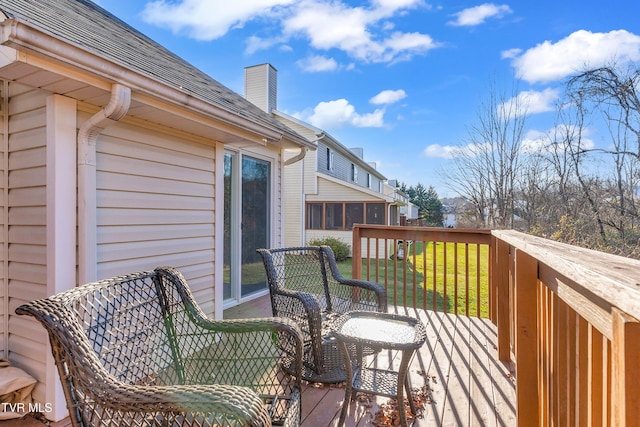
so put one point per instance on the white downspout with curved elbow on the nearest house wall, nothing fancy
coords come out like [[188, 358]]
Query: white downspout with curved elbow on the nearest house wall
[[87, 207]]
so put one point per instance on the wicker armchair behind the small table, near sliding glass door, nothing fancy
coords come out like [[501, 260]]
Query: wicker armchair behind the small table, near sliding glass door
[[306, 286]]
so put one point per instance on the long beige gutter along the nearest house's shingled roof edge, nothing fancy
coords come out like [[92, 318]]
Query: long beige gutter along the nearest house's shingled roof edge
[[17, 33]]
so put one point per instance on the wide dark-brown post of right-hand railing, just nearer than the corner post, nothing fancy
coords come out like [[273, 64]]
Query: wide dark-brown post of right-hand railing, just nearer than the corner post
[[526, 337]]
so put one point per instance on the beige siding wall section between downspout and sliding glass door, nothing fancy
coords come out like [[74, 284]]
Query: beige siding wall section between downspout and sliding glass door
[[155, 206]]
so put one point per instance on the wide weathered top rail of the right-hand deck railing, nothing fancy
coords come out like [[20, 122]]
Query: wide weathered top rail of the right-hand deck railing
[[614, 279]]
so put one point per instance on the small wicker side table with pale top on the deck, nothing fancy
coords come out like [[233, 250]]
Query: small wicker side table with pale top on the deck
[[378, 331]]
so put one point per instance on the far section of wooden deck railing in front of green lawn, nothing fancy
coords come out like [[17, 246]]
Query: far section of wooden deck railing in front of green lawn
[[429, 268]]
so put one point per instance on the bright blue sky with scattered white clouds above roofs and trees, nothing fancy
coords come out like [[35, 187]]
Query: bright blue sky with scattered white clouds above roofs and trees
[[403, 79]]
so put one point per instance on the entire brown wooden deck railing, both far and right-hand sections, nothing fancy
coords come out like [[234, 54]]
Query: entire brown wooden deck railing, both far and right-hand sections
[[567, 317]]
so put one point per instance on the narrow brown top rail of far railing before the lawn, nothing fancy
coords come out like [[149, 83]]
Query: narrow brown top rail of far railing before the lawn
[[436, 234]]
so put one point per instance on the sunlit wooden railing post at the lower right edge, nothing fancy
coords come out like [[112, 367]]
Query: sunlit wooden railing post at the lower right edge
[[625, 348]]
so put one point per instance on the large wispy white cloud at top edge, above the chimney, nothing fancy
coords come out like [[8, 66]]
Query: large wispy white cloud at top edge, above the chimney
[[363, 32]]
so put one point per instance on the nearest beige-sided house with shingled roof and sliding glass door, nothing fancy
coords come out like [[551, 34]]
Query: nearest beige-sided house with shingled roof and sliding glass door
[[119, 156]]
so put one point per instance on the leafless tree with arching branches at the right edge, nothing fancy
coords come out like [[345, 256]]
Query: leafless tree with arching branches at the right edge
[[610, 95]]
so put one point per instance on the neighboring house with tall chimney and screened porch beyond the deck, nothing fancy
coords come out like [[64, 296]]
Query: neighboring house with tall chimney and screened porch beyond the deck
[[331, 188]]
